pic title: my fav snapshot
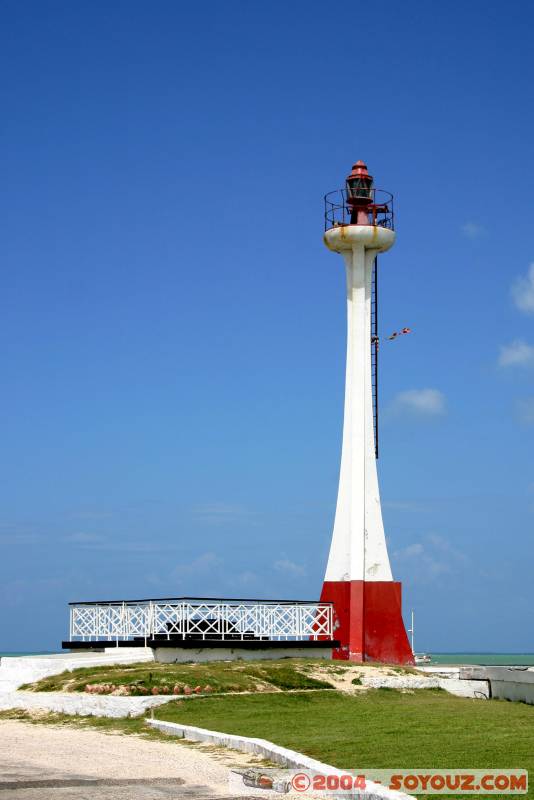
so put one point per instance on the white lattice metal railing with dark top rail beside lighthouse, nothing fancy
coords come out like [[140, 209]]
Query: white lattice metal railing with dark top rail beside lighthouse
[[200, 619]]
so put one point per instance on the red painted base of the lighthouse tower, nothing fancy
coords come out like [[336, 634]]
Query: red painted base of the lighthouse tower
[[368, 621]]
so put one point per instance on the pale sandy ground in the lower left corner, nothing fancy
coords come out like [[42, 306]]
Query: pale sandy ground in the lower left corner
[[40, 761]]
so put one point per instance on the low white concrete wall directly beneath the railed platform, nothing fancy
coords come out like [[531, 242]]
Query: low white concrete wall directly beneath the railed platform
[[181, 655]]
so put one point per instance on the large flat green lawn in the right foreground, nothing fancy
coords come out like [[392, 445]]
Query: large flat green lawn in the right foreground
[[380, 728]]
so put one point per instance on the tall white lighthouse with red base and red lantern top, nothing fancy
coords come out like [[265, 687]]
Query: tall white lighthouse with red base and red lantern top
[[358, 581]]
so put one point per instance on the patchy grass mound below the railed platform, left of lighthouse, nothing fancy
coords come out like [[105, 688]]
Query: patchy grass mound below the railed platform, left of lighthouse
[[222, 676]]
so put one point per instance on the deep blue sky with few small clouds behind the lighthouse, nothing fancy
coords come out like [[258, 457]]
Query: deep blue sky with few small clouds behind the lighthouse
[[172, 328]]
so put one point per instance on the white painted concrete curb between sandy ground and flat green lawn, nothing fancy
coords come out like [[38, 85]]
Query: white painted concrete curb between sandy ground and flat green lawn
[[271, 751]]
